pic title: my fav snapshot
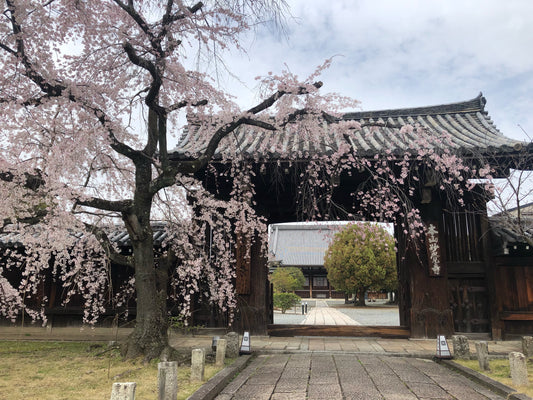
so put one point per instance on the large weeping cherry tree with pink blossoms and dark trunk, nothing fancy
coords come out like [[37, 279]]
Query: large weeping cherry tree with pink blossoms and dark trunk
[[92, 96]]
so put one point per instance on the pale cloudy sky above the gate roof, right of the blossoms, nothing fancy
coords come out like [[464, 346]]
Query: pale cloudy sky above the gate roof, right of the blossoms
[[397, 54]]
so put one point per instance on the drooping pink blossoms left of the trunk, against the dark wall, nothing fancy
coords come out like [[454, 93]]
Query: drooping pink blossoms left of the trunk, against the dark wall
[[79, 266]]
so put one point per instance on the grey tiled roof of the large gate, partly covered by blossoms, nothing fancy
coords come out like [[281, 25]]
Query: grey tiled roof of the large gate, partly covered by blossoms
[[467, 122]]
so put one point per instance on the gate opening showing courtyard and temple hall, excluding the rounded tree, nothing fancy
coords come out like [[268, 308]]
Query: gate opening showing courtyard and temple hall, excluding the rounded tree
[[320, 308]]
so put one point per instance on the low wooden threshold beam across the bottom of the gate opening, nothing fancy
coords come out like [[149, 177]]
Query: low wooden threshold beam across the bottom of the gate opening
[[391, 332]]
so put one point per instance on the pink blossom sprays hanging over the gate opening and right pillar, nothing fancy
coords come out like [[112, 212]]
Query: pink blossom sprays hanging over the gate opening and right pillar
[[391, 183]]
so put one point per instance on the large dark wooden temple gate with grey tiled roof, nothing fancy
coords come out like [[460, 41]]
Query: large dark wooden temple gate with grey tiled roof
[[446, 279]]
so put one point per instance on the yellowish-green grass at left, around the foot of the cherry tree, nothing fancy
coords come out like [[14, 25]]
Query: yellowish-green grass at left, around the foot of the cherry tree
[[69, 370]]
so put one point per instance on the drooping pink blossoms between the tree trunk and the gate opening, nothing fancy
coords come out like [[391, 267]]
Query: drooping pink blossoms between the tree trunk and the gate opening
[[203, 246]]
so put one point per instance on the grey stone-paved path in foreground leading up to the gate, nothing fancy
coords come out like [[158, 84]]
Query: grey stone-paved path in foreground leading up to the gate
[[313, 376]]
